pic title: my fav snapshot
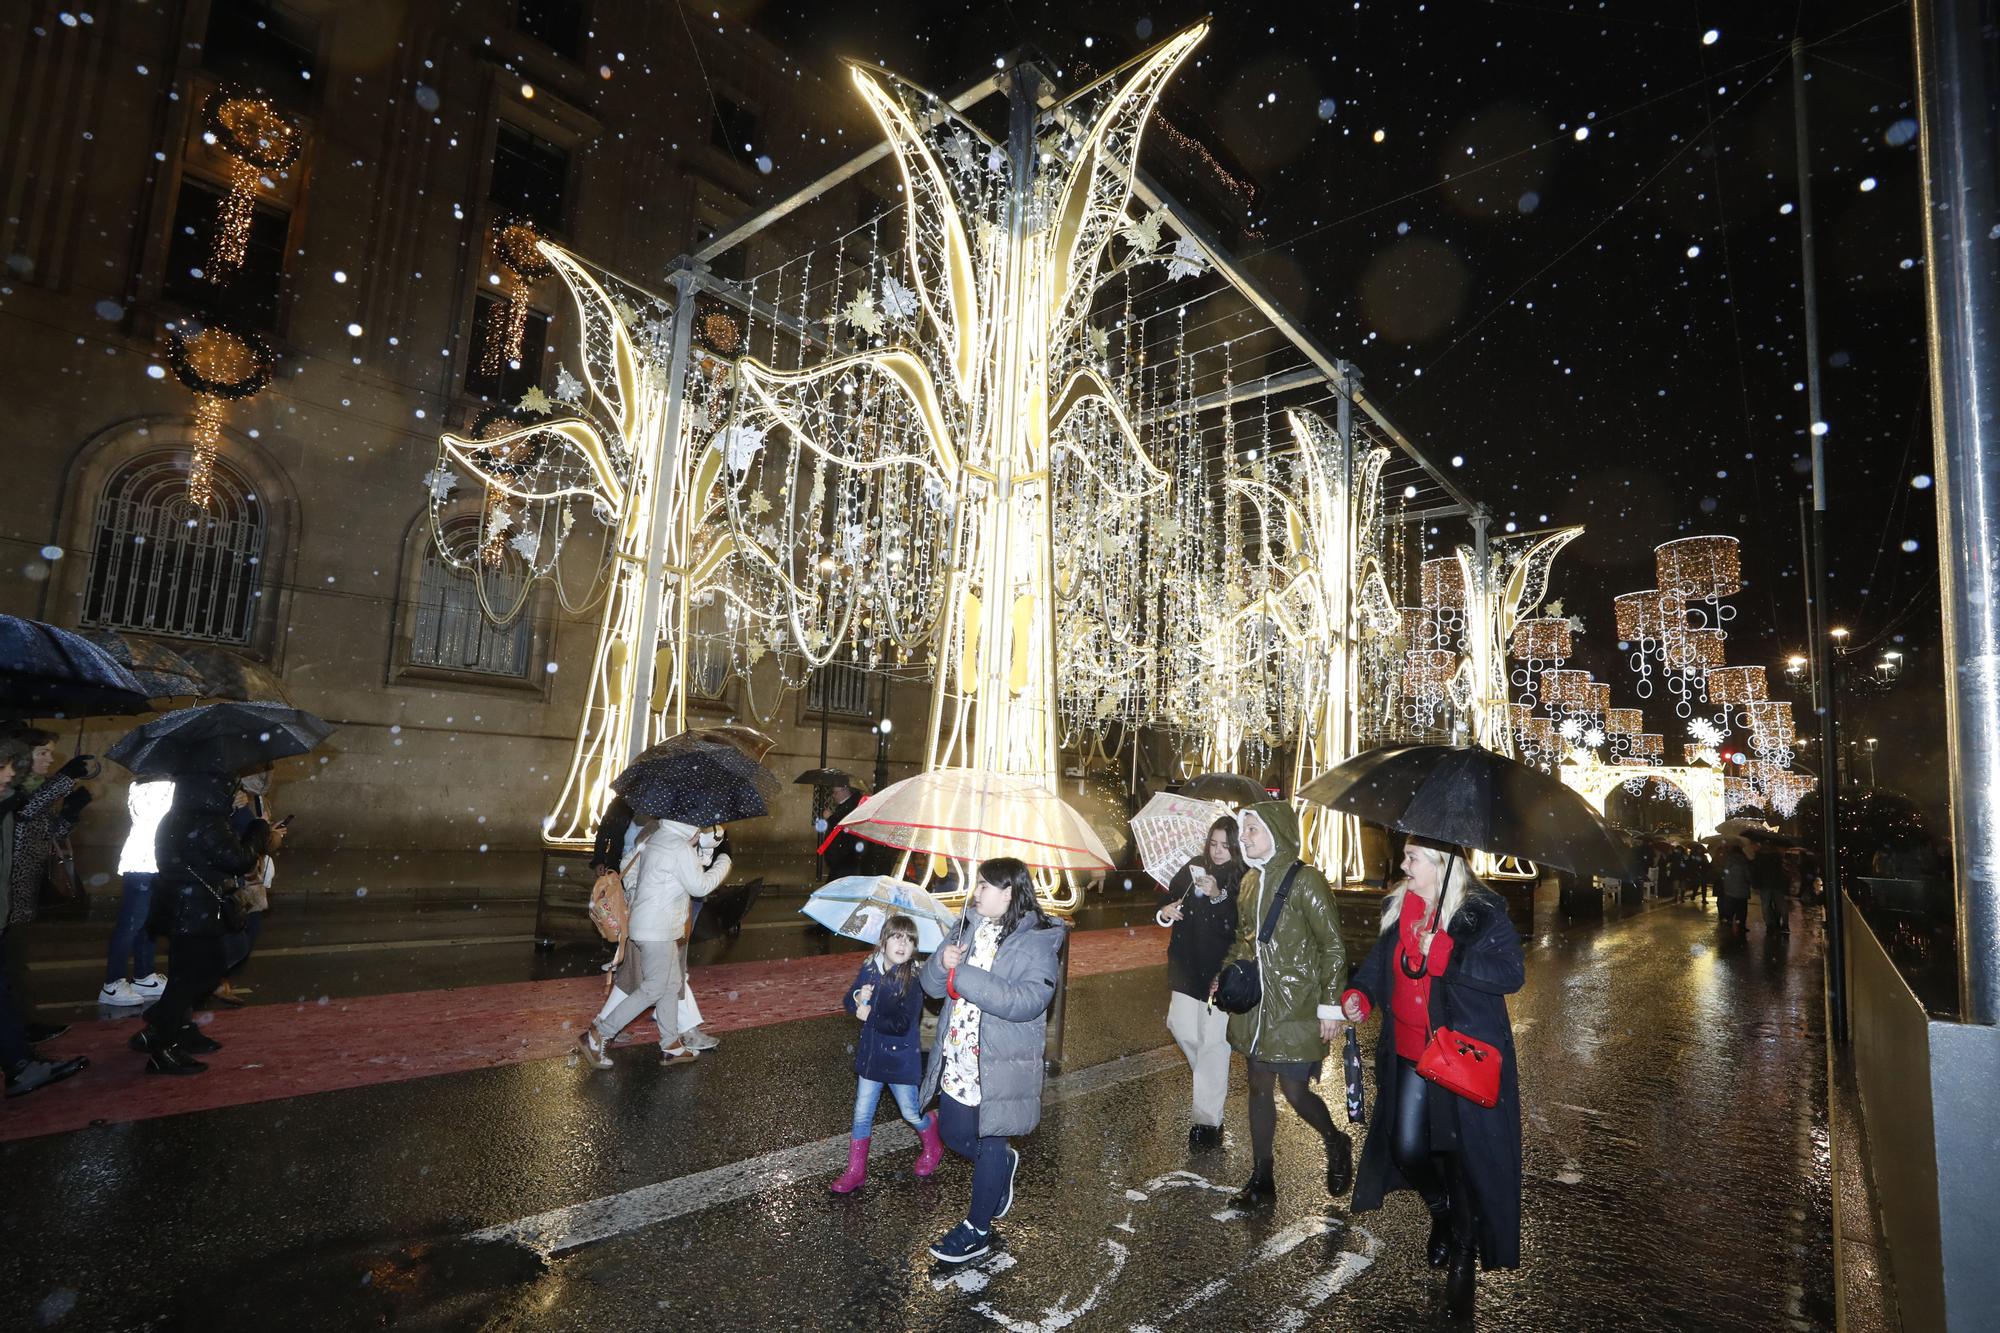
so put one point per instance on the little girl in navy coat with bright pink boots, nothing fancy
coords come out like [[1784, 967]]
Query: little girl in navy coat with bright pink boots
[[891, 1006]]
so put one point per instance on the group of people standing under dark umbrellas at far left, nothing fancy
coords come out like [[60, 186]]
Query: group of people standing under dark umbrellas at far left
[[197, 868]]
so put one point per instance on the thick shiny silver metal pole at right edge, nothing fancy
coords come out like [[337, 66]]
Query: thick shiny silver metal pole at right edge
[[1955, 59]]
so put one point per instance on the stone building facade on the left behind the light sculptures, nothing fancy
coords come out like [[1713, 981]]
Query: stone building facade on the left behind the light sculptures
[[369, 267]]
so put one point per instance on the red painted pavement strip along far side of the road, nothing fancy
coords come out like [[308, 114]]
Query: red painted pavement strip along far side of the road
[[277, 1052]]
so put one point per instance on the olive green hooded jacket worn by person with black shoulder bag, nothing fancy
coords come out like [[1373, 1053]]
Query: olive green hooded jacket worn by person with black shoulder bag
[[1303, 968]]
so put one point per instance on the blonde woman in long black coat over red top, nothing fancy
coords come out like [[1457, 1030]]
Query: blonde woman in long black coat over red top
[[1447, 958]]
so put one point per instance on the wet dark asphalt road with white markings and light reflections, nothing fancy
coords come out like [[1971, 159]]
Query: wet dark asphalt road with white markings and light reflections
[[1675, 1154]]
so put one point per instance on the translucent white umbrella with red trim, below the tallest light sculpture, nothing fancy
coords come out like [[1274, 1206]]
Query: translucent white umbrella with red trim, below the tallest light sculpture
[[973, 816]]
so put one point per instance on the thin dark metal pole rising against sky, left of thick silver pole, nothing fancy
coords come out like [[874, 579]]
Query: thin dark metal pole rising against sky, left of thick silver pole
[[1837, 972]]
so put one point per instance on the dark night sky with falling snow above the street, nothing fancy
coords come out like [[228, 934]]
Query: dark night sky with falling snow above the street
[[1607, 329]]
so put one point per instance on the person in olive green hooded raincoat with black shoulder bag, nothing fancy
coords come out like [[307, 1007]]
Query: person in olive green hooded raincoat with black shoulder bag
[[1303, 972]]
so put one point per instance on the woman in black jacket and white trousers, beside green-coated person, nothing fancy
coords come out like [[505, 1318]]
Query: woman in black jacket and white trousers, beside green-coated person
[[1201, 912]]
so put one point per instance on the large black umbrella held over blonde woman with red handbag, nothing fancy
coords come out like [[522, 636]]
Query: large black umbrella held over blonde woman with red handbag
[[1473, 798]]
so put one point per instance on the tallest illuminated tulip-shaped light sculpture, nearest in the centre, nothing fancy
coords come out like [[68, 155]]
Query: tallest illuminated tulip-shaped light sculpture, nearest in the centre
[[1009, 409]]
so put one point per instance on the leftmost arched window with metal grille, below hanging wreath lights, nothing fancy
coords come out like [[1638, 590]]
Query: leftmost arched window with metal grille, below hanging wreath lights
[[163, 567]]
